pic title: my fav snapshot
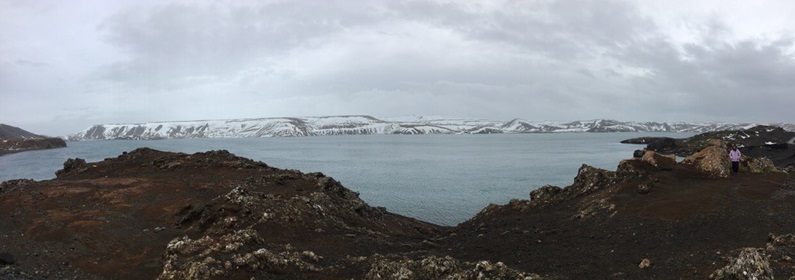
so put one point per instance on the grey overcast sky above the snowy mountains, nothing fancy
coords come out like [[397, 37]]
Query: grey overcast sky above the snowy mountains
[[66, 65]]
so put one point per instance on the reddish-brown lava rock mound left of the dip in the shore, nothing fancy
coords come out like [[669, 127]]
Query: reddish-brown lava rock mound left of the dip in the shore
[[214, 215]]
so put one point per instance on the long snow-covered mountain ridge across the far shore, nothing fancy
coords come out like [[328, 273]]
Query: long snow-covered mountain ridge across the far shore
[[356, 125]]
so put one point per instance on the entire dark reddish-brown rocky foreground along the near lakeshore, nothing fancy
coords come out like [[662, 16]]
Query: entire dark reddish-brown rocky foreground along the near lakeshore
[[156, 215]]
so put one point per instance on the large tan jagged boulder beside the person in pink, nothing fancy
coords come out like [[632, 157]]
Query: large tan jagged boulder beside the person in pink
[[713, 160]]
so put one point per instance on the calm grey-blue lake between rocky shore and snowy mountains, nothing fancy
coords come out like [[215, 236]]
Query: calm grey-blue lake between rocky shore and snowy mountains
[[443, 179]]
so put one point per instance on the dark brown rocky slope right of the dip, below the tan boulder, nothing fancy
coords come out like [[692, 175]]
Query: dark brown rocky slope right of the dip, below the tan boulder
[[682, 220]]
